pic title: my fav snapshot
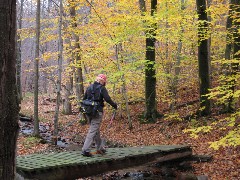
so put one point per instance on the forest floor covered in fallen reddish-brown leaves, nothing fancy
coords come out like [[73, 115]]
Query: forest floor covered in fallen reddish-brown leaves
[[224, 165]]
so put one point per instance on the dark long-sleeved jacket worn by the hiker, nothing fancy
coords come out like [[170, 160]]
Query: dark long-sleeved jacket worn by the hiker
[[100, 95]]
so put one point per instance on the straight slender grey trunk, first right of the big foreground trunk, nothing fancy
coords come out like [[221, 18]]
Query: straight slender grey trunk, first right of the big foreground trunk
[[36, 71]]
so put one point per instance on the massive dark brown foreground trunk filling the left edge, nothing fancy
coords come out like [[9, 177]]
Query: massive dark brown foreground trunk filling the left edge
[[9, 106]]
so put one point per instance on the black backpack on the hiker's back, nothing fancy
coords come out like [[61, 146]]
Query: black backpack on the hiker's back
[[90, 105]]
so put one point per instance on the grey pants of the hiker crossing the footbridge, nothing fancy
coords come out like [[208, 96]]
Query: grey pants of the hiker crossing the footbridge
[[94, 133]]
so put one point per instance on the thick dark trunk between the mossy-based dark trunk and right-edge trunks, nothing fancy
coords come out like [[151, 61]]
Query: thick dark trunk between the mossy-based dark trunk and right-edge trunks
[[203, 58]]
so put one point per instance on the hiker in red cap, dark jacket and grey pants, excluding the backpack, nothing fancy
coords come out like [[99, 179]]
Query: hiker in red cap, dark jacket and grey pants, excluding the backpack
[[94, 130]]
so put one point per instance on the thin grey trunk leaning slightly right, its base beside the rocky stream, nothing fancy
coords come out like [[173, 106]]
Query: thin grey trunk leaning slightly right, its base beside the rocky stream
[[59, 80]]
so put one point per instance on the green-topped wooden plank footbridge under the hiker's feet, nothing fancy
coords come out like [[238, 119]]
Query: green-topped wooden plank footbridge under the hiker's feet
[[72, 165]]
